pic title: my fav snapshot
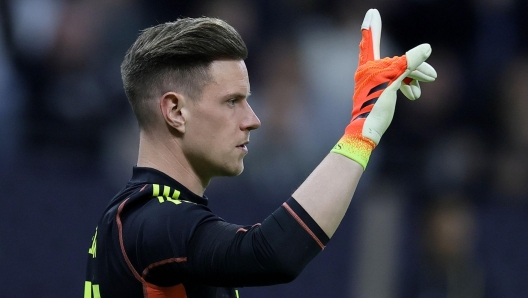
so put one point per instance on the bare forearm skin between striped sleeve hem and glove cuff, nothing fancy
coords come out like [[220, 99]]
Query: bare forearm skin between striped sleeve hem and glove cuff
[[327, 192]]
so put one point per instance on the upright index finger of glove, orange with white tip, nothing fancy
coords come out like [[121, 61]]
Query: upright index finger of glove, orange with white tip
[[369, 47]]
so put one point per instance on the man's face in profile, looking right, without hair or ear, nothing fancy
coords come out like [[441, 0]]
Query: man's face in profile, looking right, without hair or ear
[[218, 124]]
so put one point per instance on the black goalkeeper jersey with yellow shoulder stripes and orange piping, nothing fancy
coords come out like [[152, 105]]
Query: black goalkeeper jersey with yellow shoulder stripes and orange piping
[[158, 239]]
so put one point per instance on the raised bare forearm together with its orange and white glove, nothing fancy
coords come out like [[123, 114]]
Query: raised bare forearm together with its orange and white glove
[[327, 192]]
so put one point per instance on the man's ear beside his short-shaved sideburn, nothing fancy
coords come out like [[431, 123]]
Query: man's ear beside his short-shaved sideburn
[[171, 105]]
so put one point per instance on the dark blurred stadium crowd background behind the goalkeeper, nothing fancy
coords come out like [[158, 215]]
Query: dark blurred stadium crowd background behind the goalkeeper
[[441, 210]]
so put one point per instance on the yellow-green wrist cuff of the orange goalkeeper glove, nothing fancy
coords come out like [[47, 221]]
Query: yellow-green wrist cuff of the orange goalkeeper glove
[[355, 147]]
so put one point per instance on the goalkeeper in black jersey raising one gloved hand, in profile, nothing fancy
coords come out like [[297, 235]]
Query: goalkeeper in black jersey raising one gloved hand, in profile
[[188, 86]]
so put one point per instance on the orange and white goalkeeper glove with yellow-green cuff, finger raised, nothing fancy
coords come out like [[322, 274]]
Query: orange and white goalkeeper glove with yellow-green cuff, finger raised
[[376, 84]]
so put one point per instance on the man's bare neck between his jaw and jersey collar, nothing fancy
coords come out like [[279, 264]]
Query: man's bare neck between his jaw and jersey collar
[[165, 155]]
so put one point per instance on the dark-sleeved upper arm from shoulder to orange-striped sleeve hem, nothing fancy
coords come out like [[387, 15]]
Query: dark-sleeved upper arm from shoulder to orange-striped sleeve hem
[[186, 243]]
